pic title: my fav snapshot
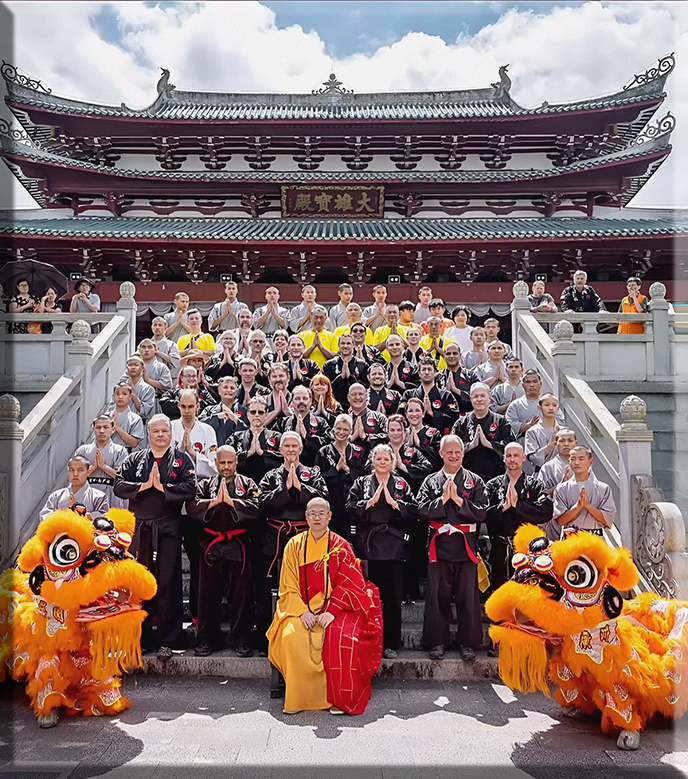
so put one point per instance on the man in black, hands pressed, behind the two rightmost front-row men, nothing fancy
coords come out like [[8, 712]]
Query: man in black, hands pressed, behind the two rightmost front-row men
[[484, 434]]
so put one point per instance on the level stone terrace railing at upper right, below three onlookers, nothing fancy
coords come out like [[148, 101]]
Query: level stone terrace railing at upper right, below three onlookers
[[655, 355]]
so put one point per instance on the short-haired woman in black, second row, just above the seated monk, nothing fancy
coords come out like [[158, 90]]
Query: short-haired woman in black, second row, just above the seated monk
[[341, 463]]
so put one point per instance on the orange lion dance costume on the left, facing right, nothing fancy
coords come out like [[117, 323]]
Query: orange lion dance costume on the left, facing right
[[70, 615]]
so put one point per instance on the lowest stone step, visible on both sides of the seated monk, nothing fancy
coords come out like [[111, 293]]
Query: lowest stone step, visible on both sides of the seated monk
[[409, 664]]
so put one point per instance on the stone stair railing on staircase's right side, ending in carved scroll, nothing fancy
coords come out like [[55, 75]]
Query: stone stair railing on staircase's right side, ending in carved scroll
[[650, 527]]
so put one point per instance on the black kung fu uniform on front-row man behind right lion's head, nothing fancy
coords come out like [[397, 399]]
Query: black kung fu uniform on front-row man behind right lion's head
[[533, 505]]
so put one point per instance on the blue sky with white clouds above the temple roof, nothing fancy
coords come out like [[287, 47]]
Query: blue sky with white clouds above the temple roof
[[111, 52]]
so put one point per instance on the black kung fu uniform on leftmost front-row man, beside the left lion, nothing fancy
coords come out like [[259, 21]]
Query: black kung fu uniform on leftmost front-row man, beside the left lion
[[157, 540]]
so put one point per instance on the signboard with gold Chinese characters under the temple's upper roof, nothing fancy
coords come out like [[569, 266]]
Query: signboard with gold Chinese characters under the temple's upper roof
[[333, 201]]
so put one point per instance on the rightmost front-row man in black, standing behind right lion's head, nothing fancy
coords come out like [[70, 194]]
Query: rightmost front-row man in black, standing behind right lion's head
[[512, 499]]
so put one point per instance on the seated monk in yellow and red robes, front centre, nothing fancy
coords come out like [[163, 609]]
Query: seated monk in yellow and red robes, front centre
[[326, 635]]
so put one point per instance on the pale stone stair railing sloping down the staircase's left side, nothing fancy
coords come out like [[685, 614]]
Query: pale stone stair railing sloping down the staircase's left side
[[34, 451]]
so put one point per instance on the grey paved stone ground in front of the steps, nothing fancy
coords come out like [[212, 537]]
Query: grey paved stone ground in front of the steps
[[212, 727]]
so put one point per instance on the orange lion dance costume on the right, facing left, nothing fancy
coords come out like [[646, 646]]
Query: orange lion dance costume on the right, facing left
[[561, 619]]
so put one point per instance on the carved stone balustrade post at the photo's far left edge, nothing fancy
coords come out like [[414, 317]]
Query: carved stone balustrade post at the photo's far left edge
[[11, 436]]
